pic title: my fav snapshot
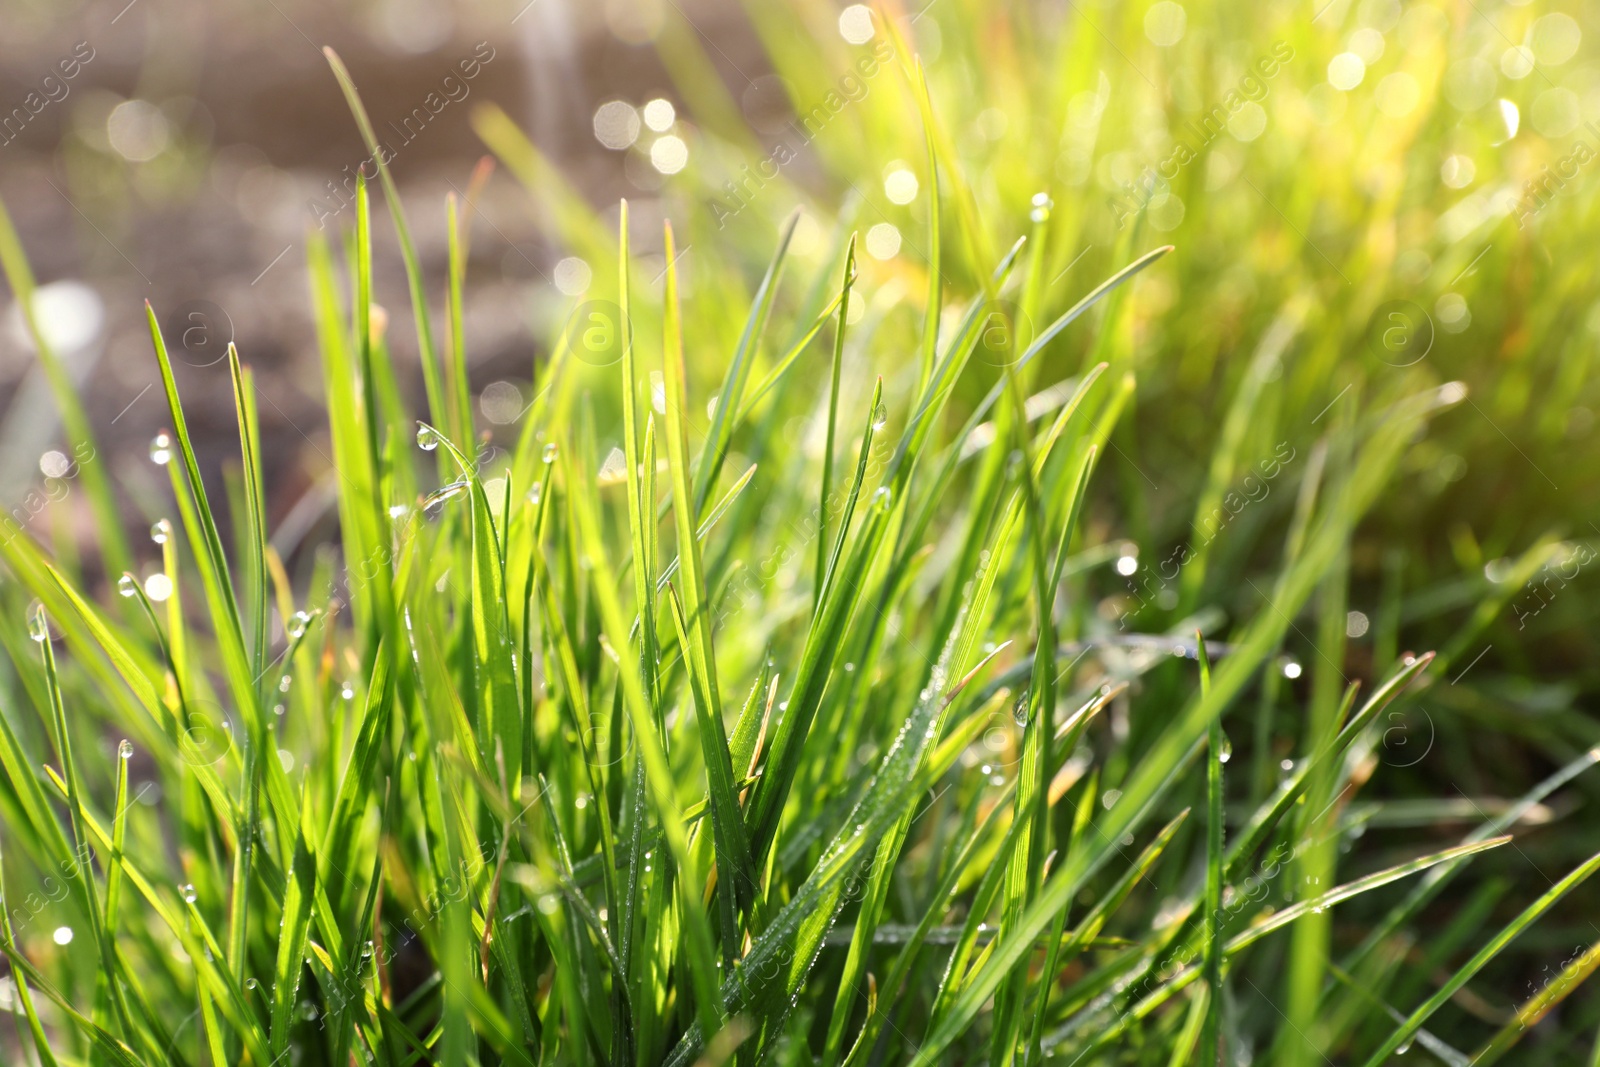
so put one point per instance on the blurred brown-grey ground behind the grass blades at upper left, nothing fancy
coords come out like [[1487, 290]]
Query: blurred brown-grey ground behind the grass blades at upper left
[[194, 146]]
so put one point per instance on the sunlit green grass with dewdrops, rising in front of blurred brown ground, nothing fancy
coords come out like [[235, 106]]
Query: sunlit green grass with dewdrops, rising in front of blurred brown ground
[[790, 685]]
